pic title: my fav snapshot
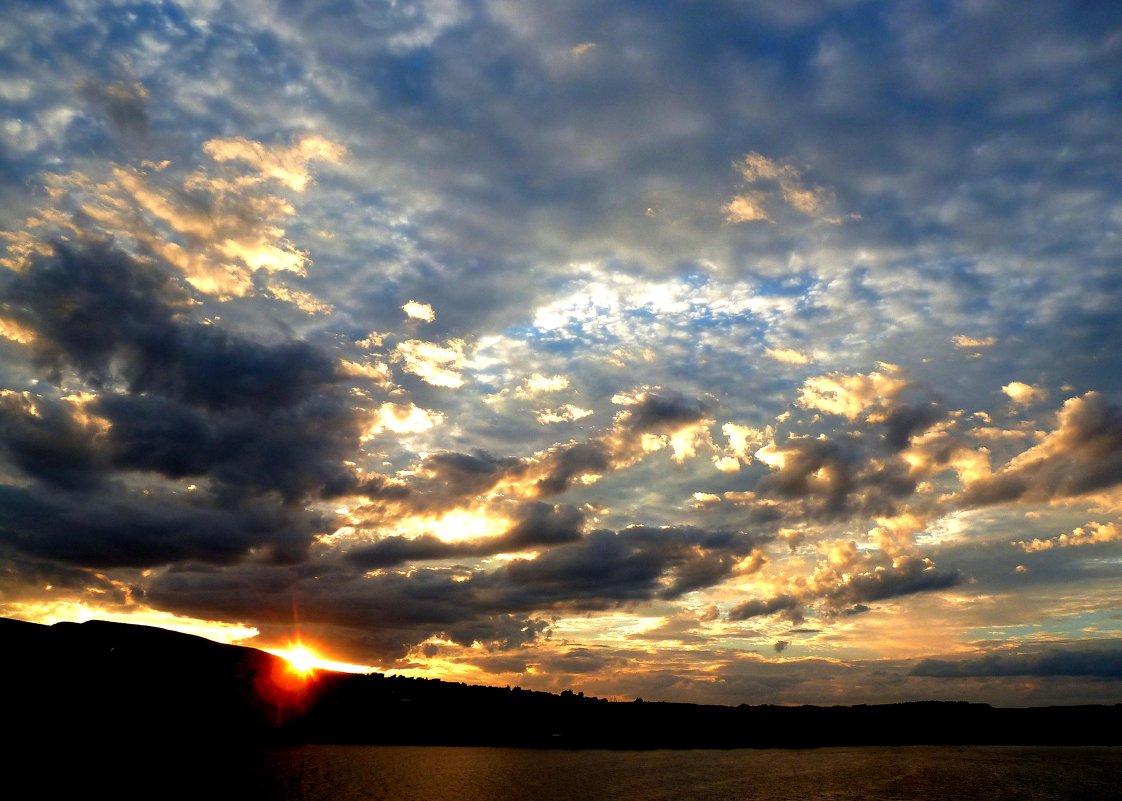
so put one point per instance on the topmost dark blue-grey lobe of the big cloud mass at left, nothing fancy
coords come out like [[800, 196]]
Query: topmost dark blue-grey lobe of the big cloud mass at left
[[109, 317]]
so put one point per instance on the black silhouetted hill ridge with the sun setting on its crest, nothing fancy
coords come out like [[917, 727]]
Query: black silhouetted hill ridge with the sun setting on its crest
[[71, 683]]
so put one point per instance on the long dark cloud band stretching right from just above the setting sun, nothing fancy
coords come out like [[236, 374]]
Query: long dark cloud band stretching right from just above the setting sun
[[603, 570]]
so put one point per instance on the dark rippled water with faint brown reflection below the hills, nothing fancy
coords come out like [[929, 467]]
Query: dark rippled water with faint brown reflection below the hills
[[375, 774]]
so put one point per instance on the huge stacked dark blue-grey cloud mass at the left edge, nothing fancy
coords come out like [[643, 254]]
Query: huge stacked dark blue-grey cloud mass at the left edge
[[261, 427]]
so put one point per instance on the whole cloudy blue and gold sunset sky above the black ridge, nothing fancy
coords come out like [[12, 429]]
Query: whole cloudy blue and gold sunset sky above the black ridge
[[718, 352]]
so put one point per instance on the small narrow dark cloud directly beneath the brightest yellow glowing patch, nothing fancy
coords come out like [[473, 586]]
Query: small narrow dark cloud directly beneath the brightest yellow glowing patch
[[538, 526]]
